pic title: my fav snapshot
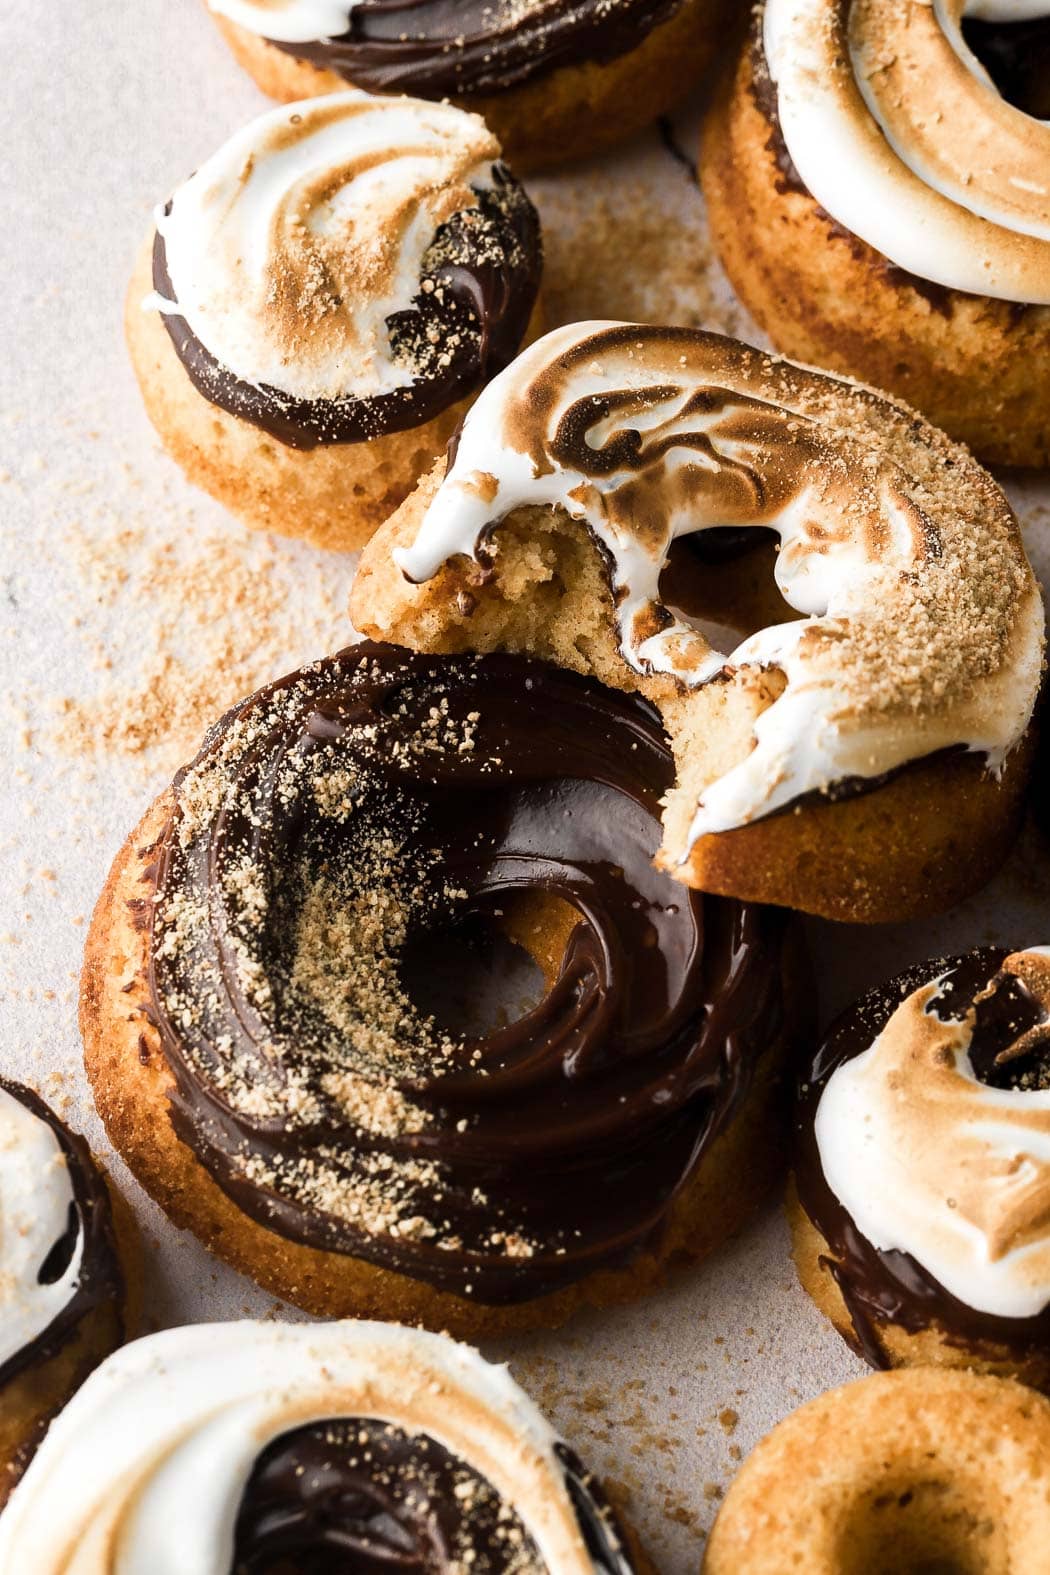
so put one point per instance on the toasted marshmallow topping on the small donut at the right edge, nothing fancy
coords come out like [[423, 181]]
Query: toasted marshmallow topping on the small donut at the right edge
[[928, 1160]]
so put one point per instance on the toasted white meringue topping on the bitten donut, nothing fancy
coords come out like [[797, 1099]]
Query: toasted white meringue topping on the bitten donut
[[923, 621]]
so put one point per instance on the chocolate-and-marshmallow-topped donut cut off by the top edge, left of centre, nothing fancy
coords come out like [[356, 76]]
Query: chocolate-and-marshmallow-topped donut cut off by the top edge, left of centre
[[553, 81]]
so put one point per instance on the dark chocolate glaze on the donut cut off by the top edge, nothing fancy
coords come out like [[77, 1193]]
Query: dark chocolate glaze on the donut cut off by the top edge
[[464, 48]]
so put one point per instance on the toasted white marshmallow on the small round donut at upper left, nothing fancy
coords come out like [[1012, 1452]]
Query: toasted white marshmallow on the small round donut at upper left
[[305, 234]]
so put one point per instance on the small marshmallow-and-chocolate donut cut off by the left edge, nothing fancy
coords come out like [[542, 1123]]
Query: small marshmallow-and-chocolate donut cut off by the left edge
[[68, 1273]]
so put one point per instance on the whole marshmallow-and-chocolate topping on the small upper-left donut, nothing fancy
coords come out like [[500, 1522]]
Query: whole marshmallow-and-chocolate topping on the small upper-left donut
[[347, 267]]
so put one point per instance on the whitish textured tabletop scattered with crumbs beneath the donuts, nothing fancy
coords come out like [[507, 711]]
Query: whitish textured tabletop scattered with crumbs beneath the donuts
[[105, 108]]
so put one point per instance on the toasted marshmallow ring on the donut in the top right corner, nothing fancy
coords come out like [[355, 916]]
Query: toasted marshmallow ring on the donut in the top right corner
[[903, 138]]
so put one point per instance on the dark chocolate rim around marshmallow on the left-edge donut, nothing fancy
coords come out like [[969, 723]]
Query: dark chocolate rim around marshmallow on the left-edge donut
[[102, 1280]]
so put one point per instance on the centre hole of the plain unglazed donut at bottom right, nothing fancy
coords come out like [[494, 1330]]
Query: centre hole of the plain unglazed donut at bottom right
[[933, 1525]]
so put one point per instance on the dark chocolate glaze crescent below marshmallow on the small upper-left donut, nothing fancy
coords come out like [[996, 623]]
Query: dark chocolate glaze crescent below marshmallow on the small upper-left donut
[[478, 308]]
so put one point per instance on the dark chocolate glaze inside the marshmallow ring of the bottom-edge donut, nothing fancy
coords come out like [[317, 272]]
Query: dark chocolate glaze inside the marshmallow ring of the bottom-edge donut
[[366, 1497]]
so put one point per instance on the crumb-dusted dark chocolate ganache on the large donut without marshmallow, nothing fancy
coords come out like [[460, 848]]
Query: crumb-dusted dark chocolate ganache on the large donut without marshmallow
[[364, 812]]
